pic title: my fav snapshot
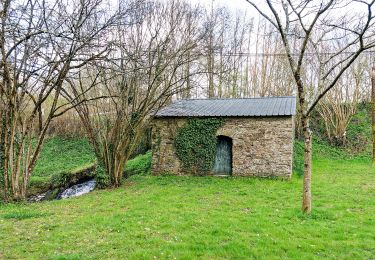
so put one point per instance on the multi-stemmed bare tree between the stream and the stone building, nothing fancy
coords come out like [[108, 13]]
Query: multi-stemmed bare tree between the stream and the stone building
[[146, 69]]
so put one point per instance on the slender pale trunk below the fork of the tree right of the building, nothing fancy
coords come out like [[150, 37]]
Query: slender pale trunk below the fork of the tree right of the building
[[306, 201]]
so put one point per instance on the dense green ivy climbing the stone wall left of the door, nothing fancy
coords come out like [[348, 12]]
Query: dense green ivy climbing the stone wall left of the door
[[195, 144]]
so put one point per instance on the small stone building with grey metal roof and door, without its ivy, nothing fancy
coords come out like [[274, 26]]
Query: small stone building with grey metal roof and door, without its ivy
[[255, 139]]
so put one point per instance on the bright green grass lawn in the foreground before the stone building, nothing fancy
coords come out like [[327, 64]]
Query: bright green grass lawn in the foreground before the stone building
[[203, 217]]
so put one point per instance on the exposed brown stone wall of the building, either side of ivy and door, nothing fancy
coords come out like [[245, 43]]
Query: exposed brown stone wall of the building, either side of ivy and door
[[262, 146]]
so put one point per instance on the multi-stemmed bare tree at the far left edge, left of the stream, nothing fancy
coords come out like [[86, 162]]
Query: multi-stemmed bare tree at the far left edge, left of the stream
[[41, 42]]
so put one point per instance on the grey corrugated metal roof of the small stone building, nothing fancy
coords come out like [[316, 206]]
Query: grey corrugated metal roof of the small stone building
[[241, 107]]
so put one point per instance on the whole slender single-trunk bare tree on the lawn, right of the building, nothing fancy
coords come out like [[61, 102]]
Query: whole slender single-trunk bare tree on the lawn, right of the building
[[316, 23]]
